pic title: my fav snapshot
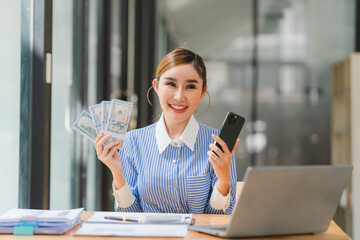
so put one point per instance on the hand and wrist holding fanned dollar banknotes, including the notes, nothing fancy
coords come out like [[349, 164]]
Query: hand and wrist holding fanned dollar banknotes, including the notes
[[106, 126]]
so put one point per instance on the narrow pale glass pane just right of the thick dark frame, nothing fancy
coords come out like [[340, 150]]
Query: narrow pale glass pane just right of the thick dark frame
[[61, 131]]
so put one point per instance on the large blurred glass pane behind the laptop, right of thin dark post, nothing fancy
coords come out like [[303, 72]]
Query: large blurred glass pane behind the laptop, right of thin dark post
[[297, 51]]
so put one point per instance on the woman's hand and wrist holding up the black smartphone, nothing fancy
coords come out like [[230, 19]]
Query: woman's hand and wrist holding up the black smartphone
[[221, 163]]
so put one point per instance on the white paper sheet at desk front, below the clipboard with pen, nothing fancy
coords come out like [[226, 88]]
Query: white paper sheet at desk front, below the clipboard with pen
[[133, 230]]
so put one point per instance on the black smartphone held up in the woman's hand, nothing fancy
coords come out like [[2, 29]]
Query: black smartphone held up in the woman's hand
[[230, 130]]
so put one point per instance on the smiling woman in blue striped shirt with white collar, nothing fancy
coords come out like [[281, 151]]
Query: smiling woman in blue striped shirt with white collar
[[171, 165]]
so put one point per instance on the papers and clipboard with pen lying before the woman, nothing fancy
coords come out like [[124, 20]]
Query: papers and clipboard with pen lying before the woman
[[136, 224]]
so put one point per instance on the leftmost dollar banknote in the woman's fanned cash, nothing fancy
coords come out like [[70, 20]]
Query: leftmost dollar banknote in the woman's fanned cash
[[84, 125]]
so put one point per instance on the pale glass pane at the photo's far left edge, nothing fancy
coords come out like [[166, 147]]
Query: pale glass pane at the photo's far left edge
[[10, 103]]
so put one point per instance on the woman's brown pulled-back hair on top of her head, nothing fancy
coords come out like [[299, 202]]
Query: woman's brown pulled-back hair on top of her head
[[181, 56]]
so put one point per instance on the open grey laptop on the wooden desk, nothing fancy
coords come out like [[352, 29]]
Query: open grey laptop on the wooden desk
[[284, 200]]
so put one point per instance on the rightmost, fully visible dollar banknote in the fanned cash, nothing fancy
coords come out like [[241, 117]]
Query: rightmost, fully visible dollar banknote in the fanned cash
[[118, 120]]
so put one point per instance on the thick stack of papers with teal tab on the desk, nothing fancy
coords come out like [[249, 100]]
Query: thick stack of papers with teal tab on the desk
[[33, 221]]
